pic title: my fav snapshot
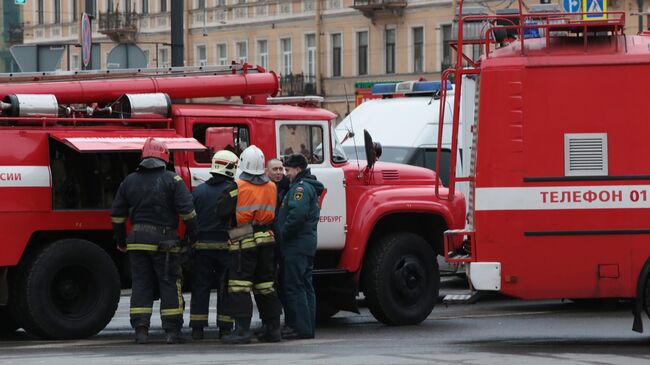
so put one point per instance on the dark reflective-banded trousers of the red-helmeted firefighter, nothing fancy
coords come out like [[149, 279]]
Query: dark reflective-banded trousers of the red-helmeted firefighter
[[148, 271]]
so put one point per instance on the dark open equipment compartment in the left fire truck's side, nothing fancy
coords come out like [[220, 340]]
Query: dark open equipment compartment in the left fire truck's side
[[87, 180]]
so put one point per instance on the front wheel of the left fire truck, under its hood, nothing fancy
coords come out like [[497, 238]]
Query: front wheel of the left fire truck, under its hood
[[401, 279]]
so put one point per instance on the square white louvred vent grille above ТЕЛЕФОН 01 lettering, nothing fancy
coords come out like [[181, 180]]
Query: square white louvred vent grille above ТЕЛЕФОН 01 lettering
[[585, 154]]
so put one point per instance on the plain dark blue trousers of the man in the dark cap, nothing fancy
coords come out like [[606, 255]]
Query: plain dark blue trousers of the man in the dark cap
[[299, 298]]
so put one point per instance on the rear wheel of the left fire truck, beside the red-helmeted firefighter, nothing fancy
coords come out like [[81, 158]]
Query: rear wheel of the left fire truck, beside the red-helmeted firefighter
[[72, 289]]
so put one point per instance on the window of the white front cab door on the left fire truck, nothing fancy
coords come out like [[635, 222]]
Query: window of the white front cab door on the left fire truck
[[303, 139]]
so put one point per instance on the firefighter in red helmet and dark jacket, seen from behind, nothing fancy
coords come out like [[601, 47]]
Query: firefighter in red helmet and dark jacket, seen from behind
[[154, 198]]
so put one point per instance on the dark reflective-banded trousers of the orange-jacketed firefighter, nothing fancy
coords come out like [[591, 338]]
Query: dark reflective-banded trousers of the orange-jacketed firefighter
[[252, 269]]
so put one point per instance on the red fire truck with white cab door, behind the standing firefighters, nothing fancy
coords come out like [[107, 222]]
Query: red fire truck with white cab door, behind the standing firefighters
[[68, 142]]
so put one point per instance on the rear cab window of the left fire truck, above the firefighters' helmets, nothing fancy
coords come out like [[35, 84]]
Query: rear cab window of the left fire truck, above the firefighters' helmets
[[216, 137]]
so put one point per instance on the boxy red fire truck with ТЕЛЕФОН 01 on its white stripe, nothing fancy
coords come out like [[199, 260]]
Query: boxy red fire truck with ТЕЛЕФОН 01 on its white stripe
[[560, 186]]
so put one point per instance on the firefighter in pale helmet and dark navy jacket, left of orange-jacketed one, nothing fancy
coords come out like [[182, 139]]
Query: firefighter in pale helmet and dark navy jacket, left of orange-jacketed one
[[214, 201]]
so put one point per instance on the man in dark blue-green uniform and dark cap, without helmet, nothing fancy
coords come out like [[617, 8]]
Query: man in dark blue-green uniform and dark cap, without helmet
[[298, 217]]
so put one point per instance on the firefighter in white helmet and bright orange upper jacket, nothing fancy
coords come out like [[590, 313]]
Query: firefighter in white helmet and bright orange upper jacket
[[252, 246]]
